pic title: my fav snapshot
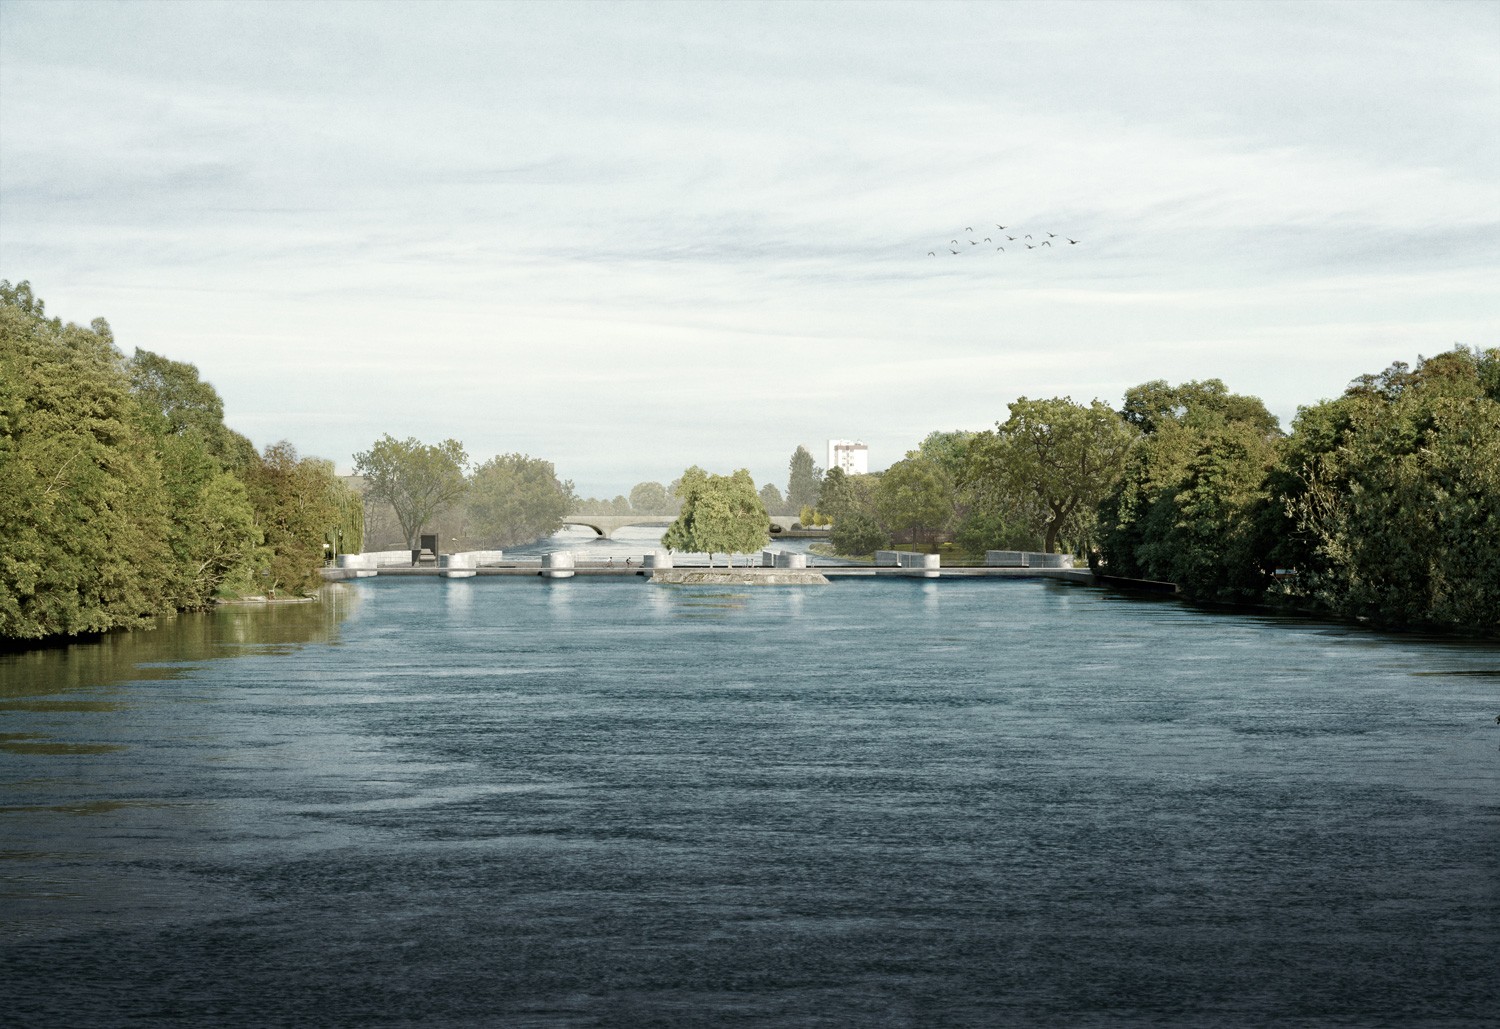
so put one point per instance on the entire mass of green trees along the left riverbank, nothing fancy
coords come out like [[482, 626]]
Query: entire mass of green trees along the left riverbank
[[125, 497]]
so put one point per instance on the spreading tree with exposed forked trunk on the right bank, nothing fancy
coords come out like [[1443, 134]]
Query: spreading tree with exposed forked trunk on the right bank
[[1063, 455]]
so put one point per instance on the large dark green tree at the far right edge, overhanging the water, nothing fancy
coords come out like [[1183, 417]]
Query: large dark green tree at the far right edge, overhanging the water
[[1388, 499]]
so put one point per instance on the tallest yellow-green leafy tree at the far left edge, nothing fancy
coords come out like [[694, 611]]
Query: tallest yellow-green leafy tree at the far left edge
[[82, 509]]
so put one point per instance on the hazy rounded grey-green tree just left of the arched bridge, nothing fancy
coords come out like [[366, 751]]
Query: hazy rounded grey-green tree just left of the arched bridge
[[515, 499]]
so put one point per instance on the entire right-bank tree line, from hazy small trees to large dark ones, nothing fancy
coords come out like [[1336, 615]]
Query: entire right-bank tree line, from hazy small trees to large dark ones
[[1382, 505]]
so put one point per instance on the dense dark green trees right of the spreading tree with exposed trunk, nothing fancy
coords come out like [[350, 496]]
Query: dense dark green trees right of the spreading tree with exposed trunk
[[1382, 505]]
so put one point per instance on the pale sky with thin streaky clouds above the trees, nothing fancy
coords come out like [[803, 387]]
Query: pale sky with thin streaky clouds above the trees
[[632, 238]]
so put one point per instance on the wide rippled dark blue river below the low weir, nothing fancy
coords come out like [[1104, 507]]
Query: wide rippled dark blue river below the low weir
[[503, 802]]
